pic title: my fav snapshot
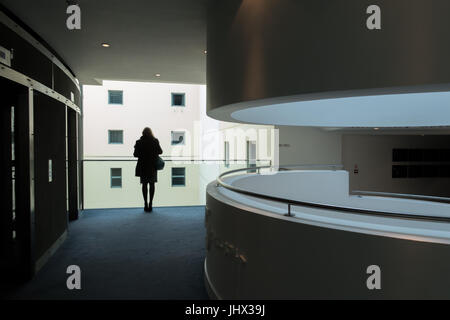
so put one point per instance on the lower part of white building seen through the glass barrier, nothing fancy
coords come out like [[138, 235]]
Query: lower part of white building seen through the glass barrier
[[175, 187]]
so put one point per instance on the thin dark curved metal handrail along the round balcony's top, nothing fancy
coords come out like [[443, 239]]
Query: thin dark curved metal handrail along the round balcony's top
[[314, 205]]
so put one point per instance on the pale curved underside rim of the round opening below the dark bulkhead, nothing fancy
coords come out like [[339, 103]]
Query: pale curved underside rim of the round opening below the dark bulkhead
[[415, 106]]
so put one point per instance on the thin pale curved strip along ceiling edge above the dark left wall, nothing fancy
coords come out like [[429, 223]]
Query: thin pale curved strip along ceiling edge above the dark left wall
[[7, 21]]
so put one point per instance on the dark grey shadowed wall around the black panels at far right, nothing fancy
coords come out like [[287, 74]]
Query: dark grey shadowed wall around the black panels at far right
[[373, 156]]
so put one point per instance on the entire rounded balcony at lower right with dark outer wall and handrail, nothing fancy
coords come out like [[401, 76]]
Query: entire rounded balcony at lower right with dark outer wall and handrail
[[296, 233]]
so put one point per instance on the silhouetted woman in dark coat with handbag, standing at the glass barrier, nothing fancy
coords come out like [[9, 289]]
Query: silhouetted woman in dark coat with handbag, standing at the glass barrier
[[147, 149]]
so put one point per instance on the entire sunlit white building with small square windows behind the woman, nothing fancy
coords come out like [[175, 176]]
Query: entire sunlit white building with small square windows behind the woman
[[195, 147]]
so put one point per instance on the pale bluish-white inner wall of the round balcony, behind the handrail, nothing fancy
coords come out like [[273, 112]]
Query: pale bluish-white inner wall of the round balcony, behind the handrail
[[331, 188]]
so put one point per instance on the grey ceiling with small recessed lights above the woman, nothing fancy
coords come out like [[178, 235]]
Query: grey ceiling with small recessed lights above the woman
[[146, 37]]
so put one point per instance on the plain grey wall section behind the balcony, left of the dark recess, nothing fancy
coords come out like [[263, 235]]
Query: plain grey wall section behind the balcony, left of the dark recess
[[304, 145]]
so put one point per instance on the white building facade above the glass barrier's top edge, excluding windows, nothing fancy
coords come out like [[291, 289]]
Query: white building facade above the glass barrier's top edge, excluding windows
[[149, 104]]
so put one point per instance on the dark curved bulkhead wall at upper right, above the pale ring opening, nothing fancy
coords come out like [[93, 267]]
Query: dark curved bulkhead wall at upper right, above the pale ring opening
[[262, 52]]
